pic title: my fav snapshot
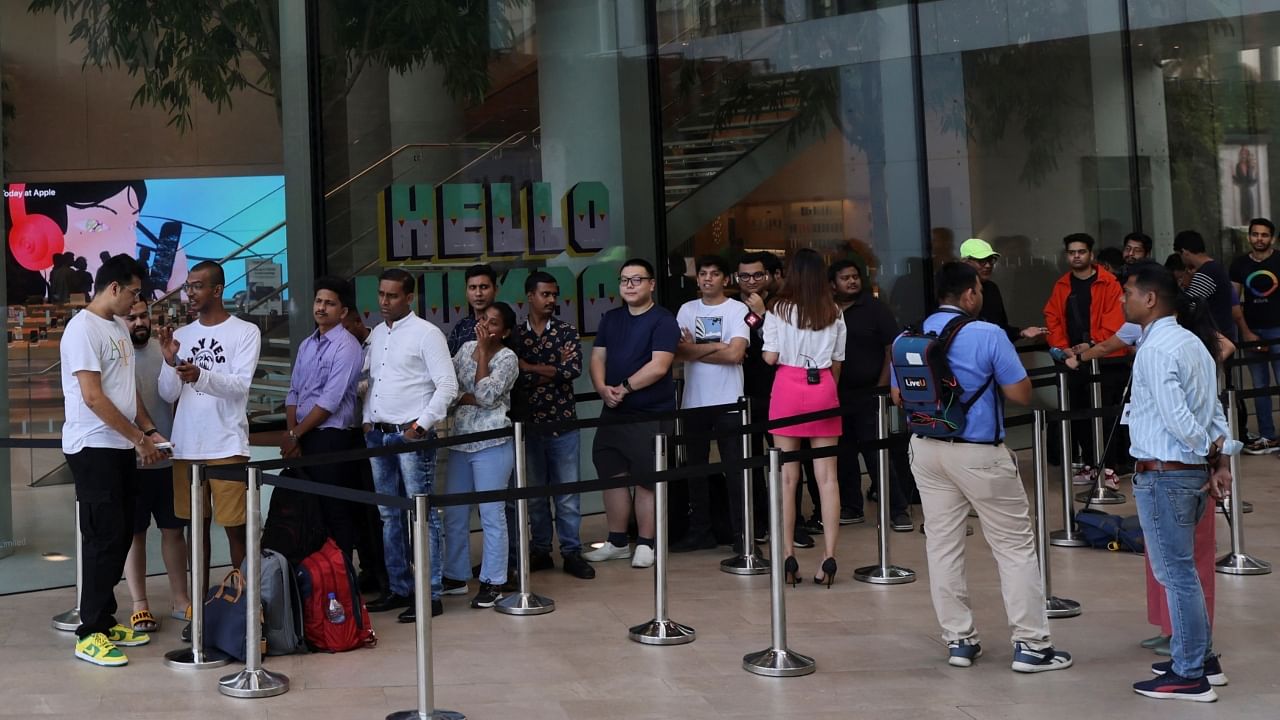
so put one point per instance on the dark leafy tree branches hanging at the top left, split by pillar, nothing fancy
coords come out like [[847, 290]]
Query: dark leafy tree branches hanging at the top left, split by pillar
[[184, 49]]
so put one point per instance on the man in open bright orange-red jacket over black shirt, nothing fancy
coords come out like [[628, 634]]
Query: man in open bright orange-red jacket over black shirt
[[1085, 309]]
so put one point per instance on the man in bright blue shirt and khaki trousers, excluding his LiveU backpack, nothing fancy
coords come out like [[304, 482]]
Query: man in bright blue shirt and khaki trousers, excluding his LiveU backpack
[[976, 470]]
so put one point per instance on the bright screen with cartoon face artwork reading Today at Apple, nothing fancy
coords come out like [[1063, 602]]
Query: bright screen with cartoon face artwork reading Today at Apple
[[57, 235]]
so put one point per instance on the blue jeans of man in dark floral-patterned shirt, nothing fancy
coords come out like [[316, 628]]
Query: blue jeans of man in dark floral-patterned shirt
[[554, 462]]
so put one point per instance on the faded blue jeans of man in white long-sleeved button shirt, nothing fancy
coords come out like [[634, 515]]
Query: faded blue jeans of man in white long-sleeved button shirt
[[405, 475]]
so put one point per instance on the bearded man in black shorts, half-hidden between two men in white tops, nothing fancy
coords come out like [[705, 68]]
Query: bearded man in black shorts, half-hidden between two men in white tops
[[156, 487]]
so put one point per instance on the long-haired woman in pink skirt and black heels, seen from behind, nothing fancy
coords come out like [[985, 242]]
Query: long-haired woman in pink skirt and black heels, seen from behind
[[804, 336]]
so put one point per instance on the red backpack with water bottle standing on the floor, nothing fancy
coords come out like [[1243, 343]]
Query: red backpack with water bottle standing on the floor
[[328, 572]]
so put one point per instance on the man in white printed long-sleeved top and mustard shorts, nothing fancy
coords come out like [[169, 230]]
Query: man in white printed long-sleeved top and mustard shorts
[[208, 371]]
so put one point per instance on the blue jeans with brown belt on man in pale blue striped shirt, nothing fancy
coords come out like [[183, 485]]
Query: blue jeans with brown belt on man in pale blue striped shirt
[[1171, 504]]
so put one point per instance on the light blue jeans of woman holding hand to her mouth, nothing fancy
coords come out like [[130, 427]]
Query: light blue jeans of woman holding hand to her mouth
[[478, 472]]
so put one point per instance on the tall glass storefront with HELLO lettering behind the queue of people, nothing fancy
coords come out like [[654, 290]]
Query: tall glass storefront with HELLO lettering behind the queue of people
[[570, 135]]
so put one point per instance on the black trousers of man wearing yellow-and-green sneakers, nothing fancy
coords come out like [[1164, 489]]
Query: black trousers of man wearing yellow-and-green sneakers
[[107, 487]]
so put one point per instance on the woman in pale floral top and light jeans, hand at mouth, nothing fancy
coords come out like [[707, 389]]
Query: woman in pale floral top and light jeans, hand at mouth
[[487, 371]]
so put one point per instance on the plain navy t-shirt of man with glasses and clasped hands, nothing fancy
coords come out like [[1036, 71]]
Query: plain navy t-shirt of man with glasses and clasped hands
[[632, 341]]
